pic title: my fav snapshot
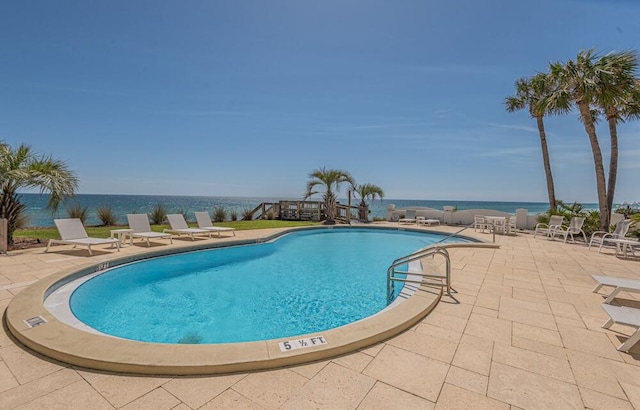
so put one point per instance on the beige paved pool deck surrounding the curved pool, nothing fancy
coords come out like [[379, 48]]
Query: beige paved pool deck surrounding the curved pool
[[526, 333]]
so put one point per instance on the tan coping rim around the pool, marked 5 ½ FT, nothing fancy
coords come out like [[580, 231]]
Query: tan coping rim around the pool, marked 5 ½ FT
[[68, 340]]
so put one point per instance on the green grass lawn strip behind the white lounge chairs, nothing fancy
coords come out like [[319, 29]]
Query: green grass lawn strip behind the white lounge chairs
[[104, 231]]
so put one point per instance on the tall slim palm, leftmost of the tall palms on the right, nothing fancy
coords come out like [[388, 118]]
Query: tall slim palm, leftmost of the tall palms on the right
[[529, 94]]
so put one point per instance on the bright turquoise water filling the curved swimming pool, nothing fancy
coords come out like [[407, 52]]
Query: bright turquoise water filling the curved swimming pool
[[303, 282]]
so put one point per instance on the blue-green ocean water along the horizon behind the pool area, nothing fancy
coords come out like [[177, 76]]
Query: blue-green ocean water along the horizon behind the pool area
[[121, 205]]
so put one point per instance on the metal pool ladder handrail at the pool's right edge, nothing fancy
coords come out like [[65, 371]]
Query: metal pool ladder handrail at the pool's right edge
[[430, 250]]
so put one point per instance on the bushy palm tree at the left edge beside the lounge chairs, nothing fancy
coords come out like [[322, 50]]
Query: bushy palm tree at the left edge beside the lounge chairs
[[22, 168]]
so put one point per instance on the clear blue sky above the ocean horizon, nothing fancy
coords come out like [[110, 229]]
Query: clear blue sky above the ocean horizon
[[233, 98]]
